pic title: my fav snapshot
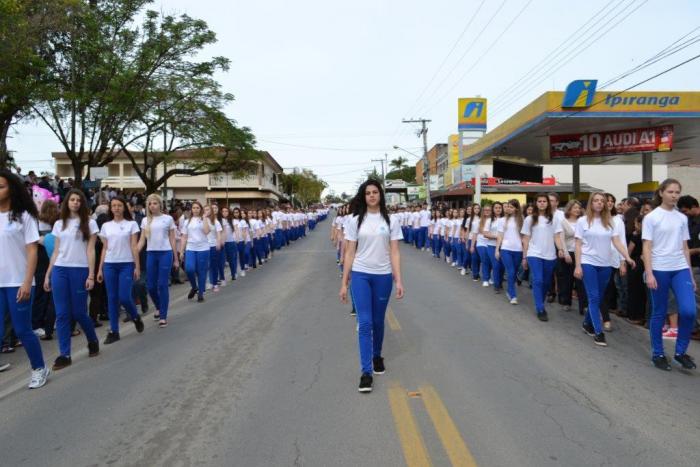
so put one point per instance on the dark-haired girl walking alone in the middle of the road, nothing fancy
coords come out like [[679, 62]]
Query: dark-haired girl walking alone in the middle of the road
[[372, 259]]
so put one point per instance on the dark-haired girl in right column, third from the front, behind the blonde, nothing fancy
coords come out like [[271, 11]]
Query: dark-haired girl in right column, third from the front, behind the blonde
[[540, 246]]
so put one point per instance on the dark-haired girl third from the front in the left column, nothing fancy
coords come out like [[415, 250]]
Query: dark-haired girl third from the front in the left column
[[119, 265]]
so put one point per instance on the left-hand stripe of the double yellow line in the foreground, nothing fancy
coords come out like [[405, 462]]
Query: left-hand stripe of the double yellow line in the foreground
[[414, 451]]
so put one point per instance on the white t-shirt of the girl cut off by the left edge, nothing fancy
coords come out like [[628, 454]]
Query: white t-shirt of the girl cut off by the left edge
[[14, 237]]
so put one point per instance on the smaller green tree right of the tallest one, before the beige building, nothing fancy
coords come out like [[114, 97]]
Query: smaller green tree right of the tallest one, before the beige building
[[182, 129]]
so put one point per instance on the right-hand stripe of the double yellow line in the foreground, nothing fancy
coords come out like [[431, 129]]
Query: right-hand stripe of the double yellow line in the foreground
[[449, 435]]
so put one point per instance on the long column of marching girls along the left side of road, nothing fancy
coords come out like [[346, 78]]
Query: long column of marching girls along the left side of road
[[58, 252]]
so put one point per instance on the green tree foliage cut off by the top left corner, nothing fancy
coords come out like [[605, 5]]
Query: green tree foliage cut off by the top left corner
[[27, 29]]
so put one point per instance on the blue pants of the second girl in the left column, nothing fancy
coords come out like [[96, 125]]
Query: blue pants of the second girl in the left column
[[70, 303]]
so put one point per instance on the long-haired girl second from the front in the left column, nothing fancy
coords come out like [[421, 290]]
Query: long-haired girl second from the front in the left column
[[71, 274]]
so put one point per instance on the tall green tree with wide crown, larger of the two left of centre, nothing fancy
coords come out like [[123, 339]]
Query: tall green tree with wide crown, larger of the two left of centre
[[117, 58]]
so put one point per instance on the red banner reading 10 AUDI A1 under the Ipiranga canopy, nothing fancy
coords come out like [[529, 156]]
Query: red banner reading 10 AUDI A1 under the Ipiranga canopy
[[658, 139]]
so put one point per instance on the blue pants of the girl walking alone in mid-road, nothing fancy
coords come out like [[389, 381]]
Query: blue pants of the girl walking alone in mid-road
[[371, 293]]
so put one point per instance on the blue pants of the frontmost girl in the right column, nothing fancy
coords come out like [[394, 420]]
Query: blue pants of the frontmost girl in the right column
[[682, 285]]
